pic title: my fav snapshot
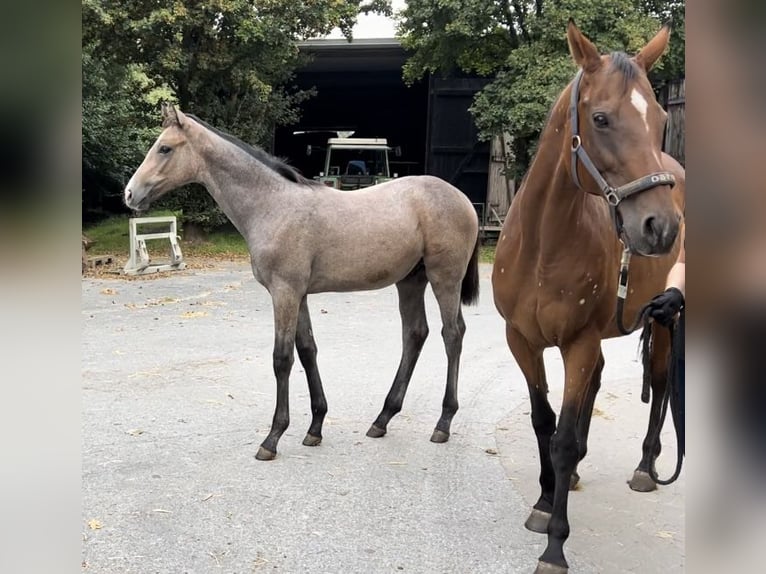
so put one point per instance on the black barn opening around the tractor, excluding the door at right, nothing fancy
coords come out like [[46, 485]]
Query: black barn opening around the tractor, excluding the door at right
[[359, 88]]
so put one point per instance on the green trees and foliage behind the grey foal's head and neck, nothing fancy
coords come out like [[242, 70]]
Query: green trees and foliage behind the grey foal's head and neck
[[231, 62]]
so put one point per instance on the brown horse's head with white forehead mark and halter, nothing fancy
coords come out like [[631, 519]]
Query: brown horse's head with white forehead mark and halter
[[616, 146]]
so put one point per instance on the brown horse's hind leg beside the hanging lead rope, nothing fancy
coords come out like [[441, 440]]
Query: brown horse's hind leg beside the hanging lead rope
[[651, 448]]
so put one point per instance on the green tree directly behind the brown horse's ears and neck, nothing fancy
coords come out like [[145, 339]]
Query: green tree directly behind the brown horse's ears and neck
[[522, 46]]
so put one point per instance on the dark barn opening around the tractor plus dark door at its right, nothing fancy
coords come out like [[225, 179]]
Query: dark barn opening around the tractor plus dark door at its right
[[360, 88]]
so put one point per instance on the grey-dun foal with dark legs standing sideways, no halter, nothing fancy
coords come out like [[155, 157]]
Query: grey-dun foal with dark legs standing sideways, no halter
[[305, 237]]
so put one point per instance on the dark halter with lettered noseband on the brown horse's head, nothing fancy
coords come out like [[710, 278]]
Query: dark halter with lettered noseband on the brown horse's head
[[613, 195]]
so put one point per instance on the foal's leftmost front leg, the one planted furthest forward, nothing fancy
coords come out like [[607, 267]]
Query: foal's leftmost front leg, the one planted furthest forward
[[286, 304]]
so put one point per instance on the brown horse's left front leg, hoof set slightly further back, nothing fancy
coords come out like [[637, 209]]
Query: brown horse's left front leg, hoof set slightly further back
[[531, 363]]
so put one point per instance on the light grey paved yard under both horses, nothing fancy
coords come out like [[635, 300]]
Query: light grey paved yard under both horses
[[178, 392]]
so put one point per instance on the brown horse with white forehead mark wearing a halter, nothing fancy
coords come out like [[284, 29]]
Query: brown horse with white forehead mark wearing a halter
[[567, 237]]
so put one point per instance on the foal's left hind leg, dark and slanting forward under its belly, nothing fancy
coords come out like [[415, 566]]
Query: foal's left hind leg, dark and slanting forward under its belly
[[414, 332]]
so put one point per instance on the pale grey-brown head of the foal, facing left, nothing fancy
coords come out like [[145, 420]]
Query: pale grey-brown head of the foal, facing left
[[169, 163]]
